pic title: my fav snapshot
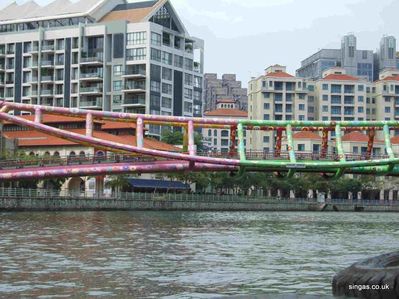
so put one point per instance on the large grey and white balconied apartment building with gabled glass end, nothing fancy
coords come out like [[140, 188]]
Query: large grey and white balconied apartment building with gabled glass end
[[101, 54]]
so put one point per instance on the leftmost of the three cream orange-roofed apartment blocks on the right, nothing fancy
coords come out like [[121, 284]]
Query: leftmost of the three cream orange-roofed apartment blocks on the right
[[277, 95]]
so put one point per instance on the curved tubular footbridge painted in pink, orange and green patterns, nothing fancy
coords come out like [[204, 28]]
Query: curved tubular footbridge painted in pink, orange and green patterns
[[239, 159]]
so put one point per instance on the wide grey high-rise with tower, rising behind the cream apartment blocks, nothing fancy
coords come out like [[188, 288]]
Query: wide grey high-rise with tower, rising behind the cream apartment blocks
[[356, 62]]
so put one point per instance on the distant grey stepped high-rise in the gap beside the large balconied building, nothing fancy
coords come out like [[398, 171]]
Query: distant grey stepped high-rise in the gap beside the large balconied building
[[227, 87]]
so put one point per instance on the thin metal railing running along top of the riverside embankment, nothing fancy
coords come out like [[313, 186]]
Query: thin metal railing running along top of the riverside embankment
[[19, 193]]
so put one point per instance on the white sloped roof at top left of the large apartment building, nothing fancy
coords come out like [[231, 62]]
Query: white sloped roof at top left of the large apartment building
[[30, 10]]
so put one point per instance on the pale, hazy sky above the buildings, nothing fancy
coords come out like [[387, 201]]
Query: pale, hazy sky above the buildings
[[246, 36]]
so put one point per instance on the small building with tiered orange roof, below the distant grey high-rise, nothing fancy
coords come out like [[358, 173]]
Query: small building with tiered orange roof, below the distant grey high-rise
[[218, 140]]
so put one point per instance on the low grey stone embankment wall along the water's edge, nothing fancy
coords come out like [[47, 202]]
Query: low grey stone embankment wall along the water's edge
[[163, 204]]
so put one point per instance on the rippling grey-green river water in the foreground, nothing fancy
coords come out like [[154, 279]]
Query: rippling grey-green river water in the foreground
[[184, 254]]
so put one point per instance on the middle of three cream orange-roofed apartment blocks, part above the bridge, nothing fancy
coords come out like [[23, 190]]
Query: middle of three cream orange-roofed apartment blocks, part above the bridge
[[341, 97]]
